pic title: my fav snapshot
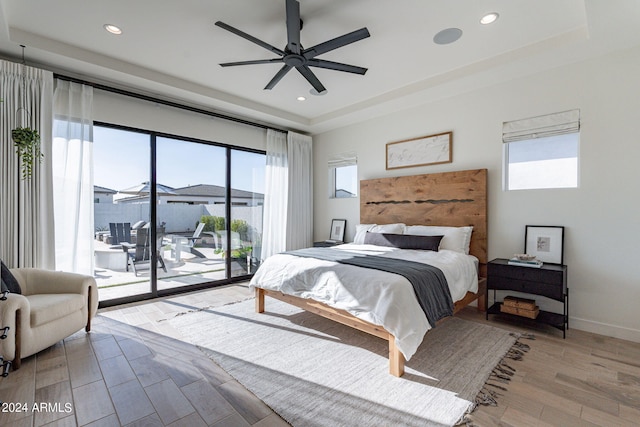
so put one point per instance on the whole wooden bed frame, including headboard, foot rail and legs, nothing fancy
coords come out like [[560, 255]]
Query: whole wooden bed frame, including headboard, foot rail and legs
[[449, 198]]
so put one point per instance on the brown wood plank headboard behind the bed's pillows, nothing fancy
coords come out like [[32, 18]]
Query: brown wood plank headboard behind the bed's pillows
[[450, 198]]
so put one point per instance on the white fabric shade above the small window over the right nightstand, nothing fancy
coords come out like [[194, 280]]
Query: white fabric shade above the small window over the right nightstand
[[542, 126]]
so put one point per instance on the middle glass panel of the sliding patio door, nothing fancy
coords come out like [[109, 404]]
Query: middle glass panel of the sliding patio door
[[191, 210]]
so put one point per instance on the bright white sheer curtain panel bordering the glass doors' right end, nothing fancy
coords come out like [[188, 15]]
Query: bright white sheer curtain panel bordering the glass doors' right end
[[275, 195]]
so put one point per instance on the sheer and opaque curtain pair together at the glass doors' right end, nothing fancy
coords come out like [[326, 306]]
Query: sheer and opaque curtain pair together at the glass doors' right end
[[288, 199]]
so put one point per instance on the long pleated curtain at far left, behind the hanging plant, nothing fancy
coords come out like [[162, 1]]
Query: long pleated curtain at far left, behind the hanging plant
[[26, 206]]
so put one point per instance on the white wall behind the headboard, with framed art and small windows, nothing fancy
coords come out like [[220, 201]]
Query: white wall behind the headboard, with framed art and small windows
[[601, 217]]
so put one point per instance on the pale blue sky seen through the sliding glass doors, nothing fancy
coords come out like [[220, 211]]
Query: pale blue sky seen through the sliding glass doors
[[122, 160]]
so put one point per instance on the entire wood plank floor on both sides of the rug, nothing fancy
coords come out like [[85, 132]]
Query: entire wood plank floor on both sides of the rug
[[133, 369]]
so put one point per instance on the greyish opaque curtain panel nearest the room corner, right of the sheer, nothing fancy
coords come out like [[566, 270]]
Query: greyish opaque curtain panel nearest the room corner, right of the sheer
[[300, 198]]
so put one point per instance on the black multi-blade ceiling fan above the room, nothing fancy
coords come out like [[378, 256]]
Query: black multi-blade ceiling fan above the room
[[295, 56]]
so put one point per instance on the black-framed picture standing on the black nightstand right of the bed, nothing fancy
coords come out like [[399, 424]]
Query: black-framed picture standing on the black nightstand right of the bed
[[545, 242]]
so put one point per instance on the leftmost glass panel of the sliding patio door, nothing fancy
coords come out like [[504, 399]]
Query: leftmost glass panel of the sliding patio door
[[121, 171]]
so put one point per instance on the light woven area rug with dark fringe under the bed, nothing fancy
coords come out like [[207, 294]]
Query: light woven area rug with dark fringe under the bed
[[316, 372]]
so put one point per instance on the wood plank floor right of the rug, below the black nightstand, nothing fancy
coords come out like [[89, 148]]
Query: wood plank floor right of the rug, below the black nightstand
[[583, 380]]
